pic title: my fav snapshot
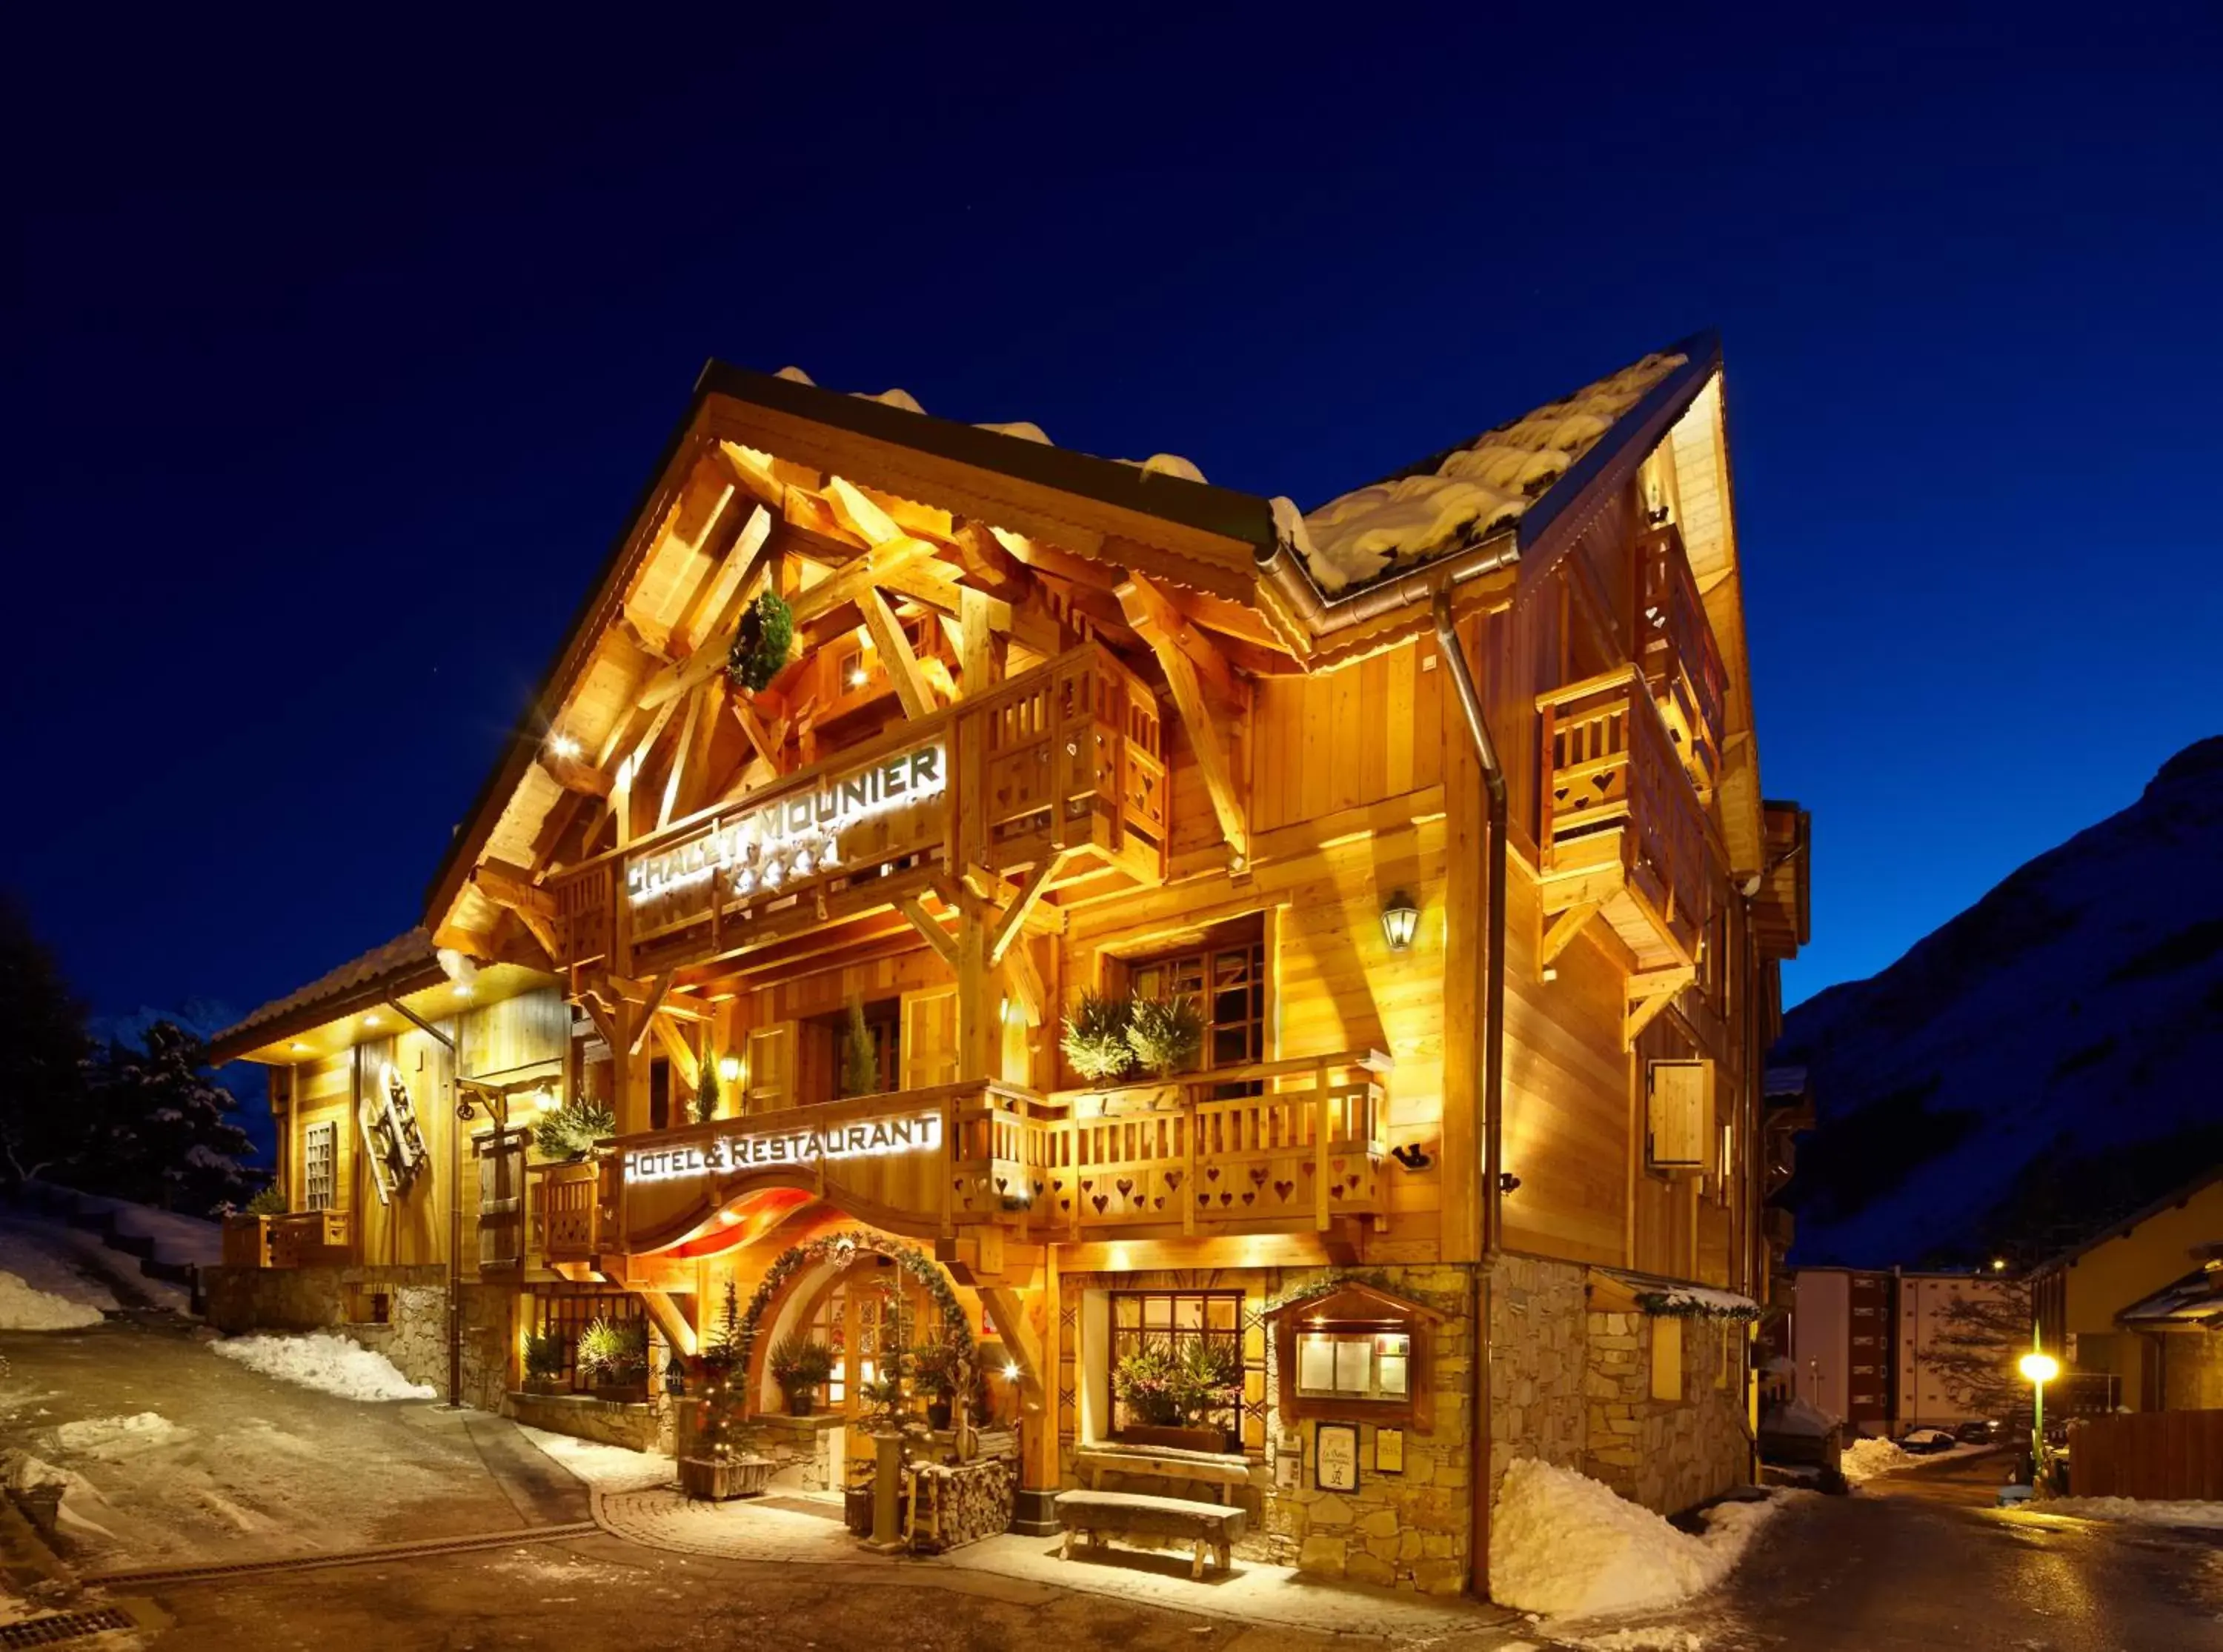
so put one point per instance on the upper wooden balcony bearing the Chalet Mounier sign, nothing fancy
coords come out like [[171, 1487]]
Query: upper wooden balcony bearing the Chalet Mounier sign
[[1064, 764]]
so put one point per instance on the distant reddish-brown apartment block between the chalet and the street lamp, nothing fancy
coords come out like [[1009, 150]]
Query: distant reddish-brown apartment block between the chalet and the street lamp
[[1860, 1340]]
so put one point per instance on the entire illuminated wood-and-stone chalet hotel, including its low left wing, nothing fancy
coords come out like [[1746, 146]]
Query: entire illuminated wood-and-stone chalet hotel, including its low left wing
[[1059, 726]]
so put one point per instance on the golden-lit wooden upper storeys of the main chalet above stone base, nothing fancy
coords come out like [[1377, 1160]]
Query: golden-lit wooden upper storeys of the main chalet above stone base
[[1059, 724]]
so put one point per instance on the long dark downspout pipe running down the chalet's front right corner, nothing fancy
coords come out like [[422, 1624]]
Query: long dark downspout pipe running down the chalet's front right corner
[[1493, 1051]]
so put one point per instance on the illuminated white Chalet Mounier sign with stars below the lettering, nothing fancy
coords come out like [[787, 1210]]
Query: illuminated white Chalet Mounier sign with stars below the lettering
[[792, 837]]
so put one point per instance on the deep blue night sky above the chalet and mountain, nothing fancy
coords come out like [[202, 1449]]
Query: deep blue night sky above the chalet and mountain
[[330, 370]]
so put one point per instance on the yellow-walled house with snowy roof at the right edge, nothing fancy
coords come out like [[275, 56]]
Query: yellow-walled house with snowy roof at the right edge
[[2135, 1311]]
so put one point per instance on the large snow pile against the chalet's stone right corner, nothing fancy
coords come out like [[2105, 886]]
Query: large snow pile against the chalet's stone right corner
[[1566, 1546]]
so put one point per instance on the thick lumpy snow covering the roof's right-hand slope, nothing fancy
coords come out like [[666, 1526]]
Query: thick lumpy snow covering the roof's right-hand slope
[[1477, 490]]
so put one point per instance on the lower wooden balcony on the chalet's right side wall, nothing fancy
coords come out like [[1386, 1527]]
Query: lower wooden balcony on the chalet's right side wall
[[1624, 835]]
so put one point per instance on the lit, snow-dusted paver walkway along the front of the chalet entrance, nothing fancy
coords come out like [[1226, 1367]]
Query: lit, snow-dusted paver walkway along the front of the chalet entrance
[[1253, 1591]]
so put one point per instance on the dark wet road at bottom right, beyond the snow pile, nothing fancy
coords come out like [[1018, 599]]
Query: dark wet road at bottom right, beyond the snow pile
[[1920, 1560]]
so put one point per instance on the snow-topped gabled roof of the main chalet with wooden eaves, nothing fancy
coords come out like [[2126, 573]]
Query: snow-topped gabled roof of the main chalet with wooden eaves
[[1546, 475]]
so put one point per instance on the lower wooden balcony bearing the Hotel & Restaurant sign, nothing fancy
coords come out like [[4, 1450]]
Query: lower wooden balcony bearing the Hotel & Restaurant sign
[[1188, 1157]]
